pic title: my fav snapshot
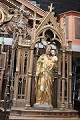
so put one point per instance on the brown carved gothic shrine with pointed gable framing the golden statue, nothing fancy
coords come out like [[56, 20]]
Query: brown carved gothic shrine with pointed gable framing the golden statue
[[31, 34]]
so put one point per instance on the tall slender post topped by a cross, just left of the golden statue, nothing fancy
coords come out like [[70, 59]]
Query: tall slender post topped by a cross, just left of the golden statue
[[31, 62]]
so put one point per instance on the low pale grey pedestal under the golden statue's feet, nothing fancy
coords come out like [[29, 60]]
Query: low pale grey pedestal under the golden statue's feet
[[43, 106]]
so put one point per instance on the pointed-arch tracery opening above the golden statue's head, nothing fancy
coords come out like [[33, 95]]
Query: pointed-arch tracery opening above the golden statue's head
[[46, 38]]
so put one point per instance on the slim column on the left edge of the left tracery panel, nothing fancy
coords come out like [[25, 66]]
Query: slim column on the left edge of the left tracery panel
[[17, 75]]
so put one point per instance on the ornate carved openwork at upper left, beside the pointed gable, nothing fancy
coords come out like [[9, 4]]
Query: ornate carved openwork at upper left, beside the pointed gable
[[15, 22]]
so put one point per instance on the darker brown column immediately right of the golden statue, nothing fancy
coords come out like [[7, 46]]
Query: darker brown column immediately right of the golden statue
[[59, 80]]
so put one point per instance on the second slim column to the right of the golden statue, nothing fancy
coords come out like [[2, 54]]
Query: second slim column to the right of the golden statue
[[63, 81]]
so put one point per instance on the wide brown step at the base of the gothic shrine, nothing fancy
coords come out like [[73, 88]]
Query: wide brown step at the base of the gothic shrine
[[32, 114]]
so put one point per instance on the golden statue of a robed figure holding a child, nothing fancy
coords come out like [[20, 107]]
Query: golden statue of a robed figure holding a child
[[44, 76]]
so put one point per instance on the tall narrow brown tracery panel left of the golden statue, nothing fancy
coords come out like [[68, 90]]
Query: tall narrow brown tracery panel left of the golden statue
[[23, 74]]
